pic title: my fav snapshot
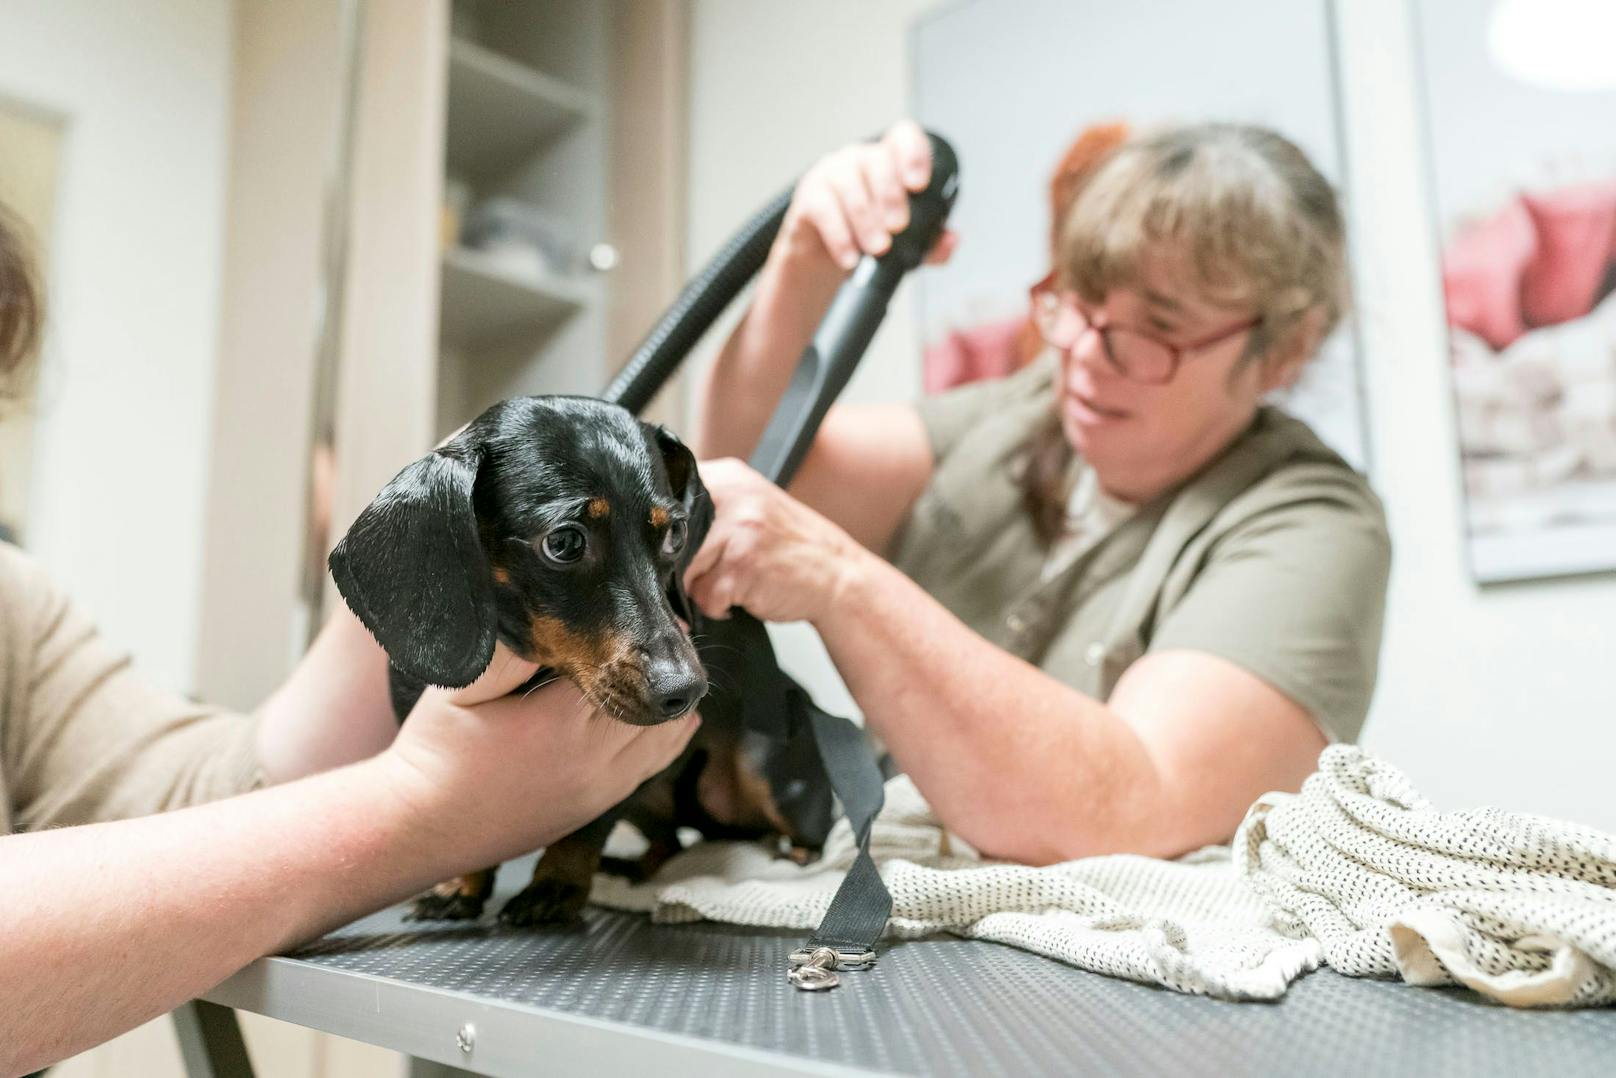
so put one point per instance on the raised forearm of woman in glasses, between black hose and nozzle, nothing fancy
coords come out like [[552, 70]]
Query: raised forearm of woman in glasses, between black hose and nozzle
[[755, 366]]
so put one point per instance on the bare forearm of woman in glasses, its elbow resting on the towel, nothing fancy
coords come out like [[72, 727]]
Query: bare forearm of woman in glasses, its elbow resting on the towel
[[1014, 762]]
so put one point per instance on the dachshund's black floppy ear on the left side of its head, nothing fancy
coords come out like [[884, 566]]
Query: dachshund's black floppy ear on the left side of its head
[[415, 571]]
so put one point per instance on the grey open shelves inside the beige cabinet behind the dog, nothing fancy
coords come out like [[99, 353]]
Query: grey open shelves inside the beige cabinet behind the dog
[[526, 117]]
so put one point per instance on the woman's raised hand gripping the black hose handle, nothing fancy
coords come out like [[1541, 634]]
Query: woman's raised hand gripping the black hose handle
[[856, 200]]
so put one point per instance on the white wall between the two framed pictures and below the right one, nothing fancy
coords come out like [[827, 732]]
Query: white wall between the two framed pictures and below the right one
[[1502, 696]]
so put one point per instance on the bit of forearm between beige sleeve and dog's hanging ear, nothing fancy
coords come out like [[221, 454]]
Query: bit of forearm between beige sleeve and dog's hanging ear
[[334, 709]]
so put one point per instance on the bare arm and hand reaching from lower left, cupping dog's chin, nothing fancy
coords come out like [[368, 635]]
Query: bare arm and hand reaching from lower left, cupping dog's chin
[[111, 925]]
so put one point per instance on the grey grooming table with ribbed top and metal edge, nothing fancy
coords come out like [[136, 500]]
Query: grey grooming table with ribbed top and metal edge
[[621, 996]]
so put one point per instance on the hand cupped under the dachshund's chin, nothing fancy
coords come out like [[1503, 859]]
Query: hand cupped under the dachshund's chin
[[508, 775]]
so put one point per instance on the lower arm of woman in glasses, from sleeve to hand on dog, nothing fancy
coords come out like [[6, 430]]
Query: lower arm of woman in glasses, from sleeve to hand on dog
[[1016, 762]]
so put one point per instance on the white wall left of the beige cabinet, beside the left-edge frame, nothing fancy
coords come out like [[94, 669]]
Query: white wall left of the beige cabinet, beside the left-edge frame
[[127, 389]]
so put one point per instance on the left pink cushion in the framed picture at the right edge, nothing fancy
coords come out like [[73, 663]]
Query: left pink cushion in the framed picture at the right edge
[[1481, 274]]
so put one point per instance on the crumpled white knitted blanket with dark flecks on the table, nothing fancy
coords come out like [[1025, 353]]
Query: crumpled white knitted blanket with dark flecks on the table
[[1357, 872]]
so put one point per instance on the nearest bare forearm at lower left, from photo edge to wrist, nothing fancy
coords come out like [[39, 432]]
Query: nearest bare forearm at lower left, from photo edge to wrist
[[111, 925]]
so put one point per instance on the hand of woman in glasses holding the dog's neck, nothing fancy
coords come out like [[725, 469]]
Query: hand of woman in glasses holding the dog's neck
[[767, 552]]
